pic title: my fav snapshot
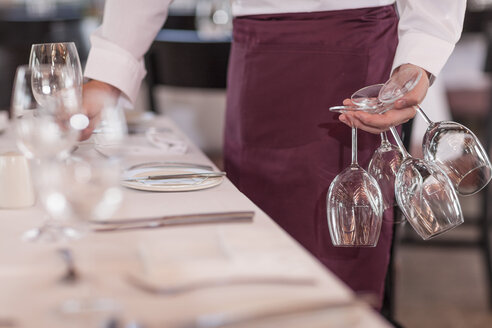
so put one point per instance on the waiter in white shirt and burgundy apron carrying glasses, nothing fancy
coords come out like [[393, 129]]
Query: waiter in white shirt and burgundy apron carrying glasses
[[290, 61]]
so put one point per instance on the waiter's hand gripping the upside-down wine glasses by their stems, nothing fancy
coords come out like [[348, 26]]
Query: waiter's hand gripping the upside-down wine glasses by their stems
[[401, 112]]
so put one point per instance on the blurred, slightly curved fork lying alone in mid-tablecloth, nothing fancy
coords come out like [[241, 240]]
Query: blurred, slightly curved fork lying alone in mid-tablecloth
[[218, 282]]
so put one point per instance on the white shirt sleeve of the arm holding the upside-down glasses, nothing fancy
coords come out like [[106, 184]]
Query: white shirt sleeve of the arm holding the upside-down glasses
[[428, 31]]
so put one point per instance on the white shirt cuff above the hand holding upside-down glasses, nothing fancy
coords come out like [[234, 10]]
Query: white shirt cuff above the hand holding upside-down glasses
[[423, 50]]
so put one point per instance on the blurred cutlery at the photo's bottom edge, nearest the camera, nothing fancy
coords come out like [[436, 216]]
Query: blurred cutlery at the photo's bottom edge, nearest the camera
[[227, 319]]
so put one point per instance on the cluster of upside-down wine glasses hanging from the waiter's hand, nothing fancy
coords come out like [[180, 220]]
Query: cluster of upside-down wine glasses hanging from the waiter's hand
[[426, 190]]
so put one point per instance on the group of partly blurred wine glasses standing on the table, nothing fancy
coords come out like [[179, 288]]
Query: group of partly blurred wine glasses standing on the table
[[48, 117]]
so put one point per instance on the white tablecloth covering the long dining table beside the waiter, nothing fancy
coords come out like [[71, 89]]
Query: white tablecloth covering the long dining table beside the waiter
[[32, 295]]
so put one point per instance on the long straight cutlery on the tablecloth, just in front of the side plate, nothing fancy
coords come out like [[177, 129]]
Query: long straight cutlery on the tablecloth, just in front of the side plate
[[173, 220]]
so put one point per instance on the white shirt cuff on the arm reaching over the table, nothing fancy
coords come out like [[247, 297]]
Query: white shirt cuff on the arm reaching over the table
[[112, 64]]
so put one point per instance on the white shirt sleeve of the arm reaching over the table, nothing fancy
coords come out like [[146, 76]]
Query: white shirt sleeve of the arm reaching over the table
[[119, 44]]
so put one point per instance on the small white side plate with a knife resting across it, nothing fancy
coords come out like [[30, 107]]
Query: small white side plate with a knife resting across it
[[186, 184]]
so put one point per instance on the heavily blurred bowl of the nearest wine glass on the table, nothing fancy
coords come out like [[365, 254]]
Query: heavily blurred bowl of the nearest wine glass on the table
[[76, 190]]
